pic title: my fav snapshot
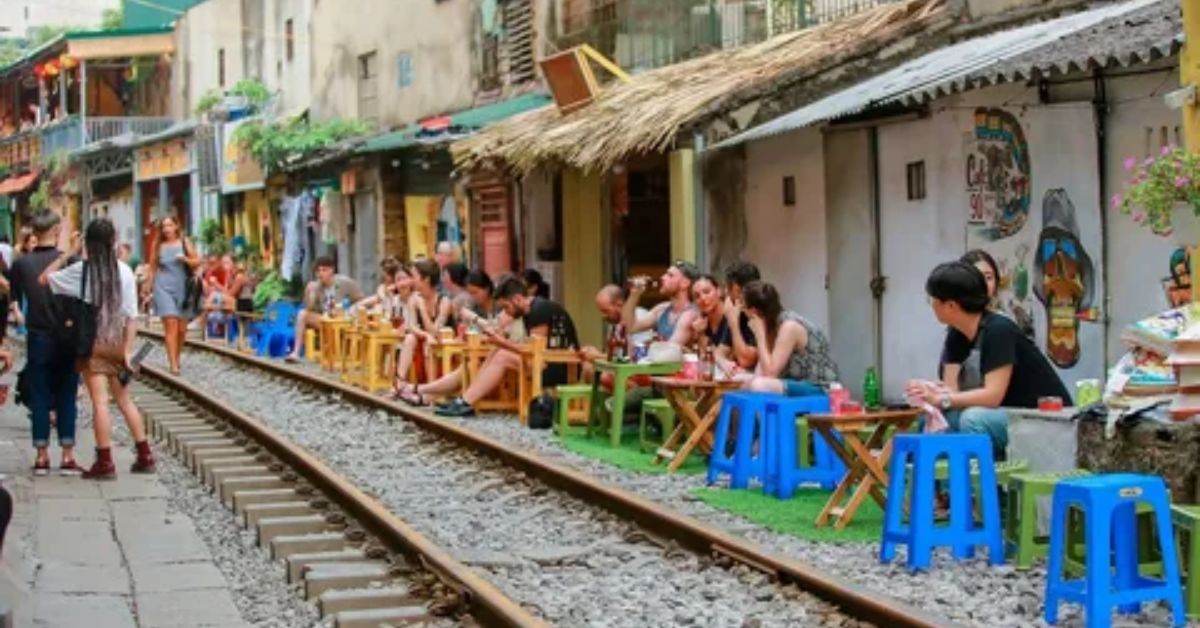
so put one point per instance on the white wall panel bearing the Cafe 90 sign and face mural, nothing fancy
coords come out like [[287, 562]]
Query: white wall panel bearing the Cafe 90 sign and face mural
[[1047, 252]]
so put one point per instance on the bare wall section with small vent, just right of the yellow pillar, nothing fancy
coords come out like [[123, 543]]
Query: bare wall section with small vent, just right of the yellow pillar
[[789, 243]]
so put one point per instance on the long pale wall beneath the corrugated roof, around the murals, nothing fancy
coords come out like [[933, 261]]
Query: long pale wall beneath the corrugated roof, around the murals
[[831, 232]]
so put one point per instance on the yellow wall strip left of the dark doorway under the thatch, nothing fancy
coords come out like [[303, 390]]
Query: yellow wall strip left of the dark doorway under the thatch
[[584, 260]]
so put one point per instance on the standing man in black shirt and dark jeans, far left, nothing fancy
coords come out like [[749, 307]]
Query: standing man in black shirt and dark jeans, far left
[[50, 367]]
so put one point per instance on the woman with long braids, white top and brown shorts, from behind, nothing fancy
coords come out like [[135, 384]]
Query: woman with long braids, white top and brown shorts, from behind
[[112, 291]]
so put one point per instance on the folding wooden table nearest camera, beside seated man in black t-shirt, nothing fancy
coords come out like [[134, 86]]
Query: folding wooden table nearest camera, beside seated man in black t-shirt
[[867, 471]]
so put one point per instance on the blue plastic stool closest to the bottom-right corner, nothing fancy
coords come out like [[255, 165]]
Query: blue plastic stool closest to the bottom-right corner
[[1109, 506]]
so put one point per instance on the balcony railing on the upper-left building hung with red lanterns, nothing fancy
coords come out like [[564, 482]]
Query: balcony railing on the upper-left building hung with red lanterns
[[37, 146]]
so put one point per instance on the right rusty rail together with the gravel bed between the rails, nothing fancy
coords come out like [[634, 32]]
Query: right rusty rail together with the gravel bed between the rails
[[543, 534]]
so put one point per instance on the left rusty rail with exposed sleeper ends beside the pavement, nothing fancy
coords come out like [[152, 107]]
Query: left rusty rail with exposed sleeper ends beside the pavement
[[361, 564]]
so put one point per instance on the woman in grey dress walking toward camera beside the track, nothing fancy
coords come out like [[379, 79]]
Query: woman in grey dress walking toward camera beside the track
[[172, 261]]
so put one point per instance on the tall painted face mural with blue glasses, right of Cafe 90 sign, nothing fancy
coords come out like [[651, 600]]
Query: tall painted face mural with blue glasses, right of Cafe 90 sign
[[1065, 279]]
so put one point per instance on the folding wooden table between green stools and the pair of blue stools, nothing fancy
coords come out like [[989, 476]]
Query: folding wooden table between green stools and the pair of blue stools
[[697, 405]]
